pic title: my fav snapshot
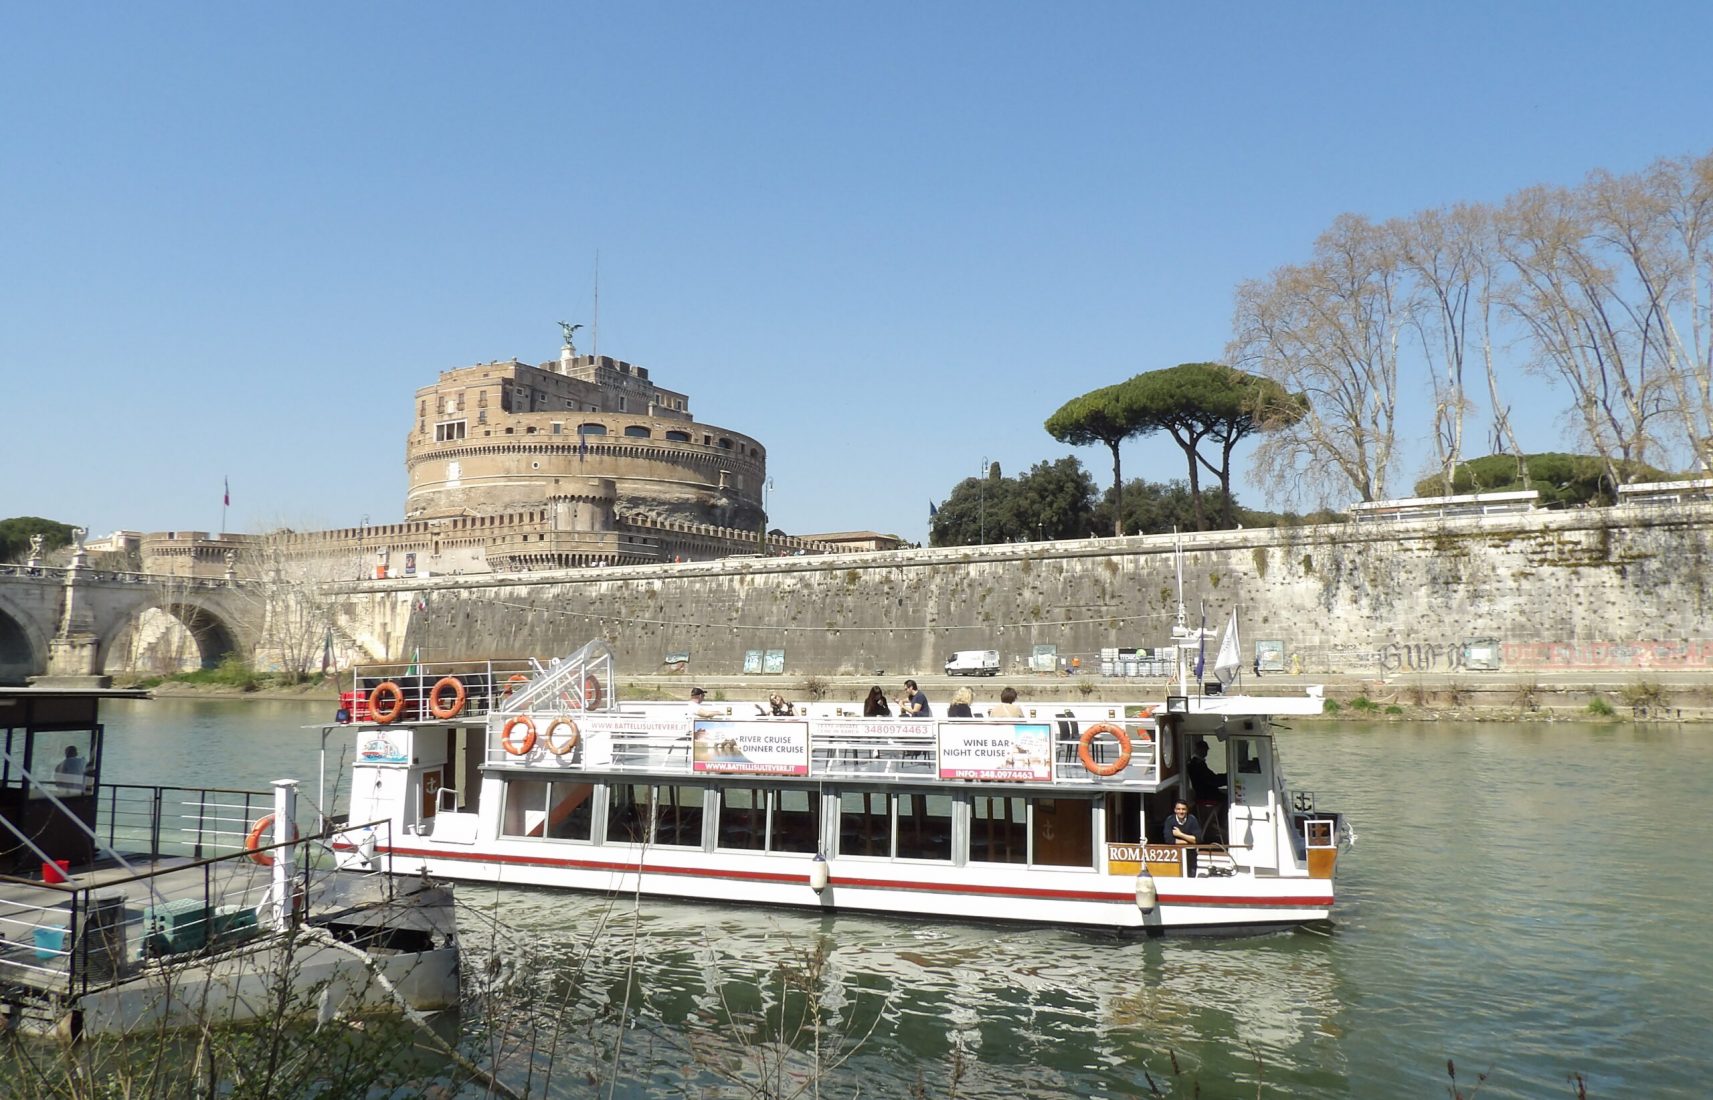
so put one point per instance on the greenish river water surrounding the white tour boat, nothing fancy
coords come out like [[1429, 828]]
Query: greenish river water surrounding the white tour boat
[[1527, 900]]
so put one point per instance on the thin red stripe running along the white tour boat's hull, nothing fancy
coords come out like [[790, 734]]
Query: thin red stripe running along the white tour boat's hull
[[931, 888]]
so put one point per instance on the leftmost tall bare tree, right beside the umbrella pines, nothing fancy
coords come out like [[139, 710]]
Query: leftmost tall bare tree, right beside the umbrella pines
[[1330, 332]]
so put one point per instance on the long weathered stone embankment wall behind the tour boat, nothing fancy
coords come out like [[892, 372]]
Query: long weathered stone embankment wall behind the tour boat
[[1625, 589]]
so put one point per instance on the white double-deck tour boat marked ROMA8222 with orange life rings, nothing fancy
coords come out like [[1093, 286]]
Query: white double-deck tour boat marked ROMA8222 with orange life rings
[[1051, 818]]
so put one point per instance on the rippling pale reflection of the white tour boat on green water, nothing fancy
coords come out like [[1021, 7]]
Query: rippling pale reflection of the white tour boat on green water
[[729, 995]]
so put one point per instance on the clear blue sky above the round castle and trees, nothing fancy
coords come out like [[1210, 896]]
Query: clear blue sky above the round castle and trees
[[885, 239]]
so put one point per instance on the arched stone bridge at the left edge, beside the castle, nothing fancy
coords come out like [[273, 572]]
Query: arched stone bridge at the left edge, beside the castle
[[63, 623]]
